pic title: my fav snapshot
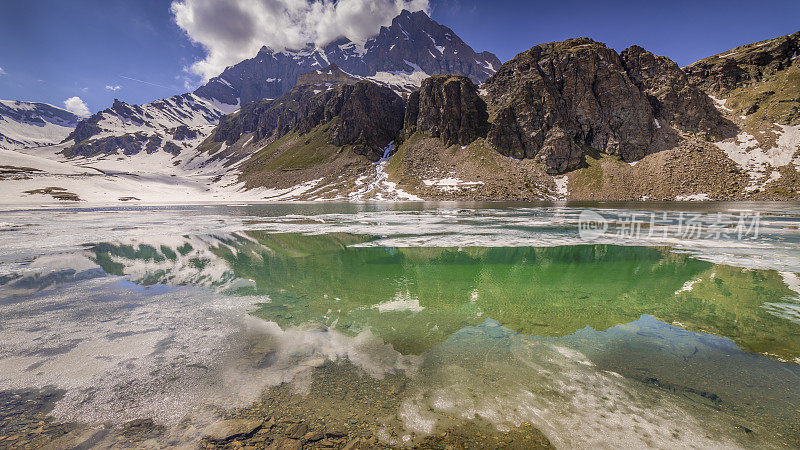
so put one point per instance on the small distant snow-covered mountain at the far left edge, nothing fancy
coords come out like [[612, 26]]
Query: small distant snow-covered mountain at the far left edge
[[30, 124]]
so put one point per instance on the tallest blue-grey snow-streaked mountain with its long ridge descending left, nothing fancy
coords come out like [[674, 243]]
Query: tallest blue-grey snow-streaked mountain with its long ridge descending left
[[400, 56]]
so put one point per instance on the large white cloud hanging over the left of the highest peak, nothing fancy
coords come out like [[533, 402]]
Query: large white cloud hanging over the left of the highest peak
[[234, 30]]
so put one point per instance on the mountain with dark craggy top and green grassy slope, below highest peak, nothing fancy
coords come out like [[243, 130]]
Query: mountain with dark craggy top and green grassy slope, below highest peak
[[327, 131]]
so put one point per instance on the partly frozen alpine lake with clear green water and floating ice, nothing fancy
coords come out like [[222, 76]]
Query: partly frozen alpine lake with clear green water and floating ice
[[496, 313]]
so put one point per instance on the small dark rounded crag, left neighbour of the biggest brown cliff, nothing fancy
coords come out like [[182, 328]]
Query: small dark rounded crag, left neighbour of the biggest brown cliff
[[447, 107]]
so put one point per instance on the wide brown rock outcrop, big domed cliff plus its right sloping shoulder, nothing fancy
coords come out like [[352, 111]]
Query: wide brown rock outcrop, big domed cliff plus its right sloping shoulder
[[559, 102]]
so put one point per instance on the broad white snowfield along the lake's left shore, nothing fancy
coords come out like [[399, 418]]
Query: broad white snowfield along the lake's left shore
[[48, 177]]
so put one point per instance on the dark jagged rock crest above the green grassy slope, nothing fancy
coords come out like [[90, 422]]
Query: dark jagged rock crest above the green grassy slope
[[363, 114]]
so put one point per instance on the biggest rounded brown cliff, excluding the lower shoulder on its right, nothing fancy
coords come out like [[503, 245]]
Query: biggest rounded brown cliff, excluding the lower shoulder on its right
[[558, 101]]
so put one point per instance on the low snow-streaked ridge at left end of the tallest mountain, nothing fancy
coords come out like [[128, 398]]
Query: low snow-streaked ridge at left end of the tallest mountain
[[173, 125]]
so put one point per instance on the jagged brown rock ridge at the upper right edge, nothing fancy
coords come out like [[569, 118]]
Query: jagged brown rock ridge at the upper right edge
[[744, 65]]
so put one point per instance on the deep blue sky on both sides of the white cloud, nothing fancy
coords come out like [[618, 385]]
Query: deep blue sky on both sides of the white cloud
[[52, 50]]
